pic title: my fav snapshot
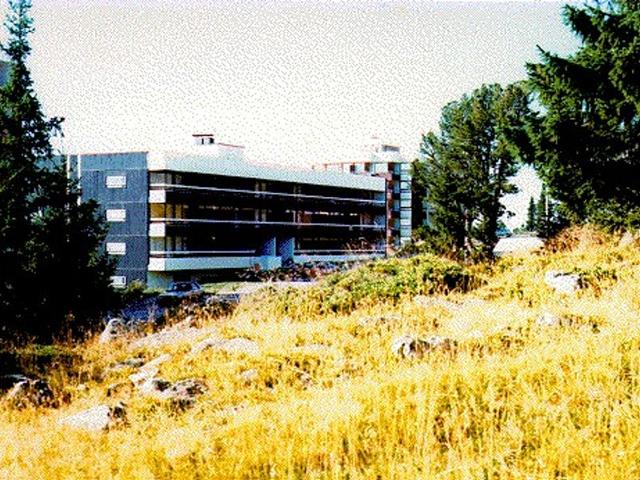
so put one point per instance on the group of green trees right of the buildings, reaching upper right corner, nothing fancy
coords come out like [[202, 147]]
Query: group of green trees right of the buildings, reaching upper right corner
[[575, 119]]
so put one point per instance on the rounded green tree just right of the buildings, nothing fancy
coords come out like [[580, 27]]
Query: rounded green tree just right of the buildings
[[466, 167]]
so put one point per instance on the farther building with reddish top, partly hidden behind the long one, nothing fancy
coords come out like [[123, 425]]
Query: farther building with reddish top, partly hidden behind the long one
[[385, 160]]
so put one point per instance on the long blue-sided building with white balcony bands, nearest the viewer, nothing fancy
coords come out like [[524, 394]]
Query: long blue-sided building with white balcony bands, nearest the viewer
[[179, 215]]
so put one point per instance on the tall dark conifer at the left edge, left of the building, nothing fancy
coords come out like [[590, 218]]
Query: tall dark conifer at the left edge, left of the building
[[51, 269]]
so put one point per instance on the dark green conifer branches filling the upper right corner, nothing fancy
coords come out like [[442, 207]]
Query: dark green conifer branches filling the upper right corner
[[587, 138]]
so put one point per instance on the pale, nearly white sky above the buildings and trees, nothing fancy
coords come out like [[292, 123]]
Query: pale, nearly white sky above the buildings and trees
[[296, 82]]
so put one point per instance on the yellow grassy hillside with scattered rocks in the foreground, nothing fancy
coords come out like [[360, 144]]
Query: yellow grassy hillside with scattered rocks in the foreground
[[324, 395]]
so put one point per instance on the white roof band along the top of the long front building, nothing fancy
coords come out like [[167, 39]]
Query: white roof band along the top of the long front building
[[231, 164]]
